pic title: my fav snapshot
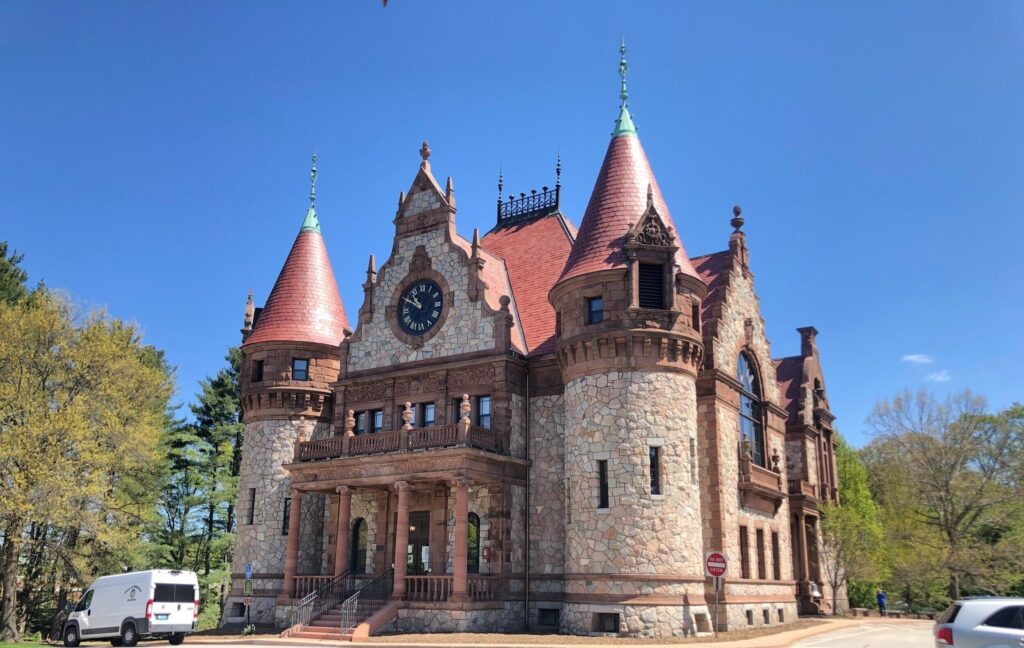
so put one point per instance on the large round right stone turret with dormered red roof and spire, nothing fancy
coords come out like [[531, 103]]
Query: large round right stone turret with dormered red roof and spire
[[629, 350]]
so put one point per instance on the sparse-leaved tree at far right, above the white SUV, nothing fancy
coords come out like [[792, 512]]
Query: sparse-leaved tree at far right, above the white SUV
[[956, 470]]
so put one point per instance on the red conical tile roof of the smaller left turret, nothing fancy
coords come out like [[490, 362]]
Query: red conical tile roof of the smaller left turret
[[305, 306]]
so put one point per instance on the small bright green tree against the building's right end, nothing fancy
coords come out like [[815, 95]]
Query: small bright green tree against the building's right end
[[851, 534]]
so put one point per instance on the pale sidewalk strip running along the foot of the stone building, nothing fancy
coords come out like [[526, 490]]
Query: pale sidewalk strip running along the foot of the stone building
[[778, 640]]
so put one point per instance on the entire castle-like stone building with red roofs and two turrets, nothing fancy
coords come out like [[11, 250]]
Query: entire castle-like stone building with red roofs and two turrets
[[545, 426]]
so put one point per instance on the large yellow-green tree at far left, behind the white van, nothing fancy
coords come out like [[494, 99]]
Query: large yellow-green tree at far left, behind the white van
[[82, 409]]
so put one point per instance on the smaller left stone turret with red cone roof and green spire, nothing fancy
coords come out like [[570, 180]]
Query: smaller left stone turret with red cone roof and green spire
[[290, 359]]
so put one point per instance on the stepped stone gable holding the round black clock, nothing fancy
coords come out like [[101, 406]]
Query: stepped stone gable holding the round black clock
[[438, 296]]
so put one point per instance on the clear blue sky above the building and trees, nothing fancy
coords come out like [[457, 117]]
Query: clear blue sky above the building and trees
[[156, 156]]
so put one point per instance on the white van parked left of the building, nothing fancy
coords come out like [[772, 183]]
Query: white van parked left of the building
[[126, 608]]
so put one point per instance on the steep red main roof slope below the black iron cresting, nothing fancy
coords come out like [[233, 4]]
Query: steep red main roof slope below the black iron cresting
[[535, 253]]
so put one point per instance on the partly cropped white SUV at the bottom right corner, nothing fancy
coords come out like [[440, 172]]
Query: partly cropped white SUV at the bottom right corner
[[983, 623]]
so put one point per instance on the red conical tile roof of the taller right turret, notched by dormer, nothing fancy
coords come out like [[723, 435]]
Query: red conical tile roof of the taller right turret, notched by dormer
[[620, 198]]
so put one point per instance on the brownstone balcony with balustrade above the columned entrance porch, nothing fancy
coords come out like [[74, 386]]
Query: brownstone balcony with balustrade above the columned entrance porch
[[454, 436]]
